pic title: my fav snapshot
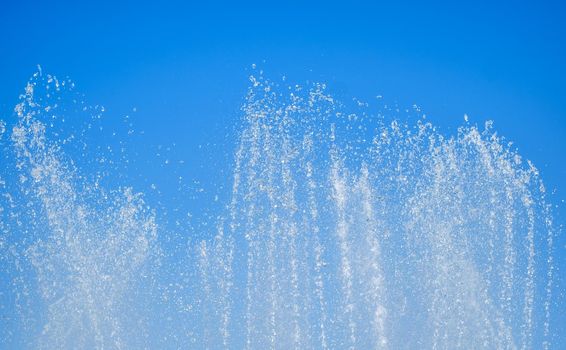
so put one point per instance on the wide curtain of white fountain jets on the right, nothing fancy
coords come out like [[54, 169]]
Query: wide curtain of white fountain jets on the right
[[358, 231]]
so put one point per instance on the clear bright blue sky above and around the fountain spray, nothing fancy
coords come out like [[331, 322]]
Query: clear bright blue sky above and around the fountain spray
[[184, 67]]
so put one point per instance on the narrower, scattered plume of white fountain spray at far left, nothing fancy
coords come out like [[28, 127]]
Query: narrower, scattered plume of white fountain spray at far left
[[78, 251]]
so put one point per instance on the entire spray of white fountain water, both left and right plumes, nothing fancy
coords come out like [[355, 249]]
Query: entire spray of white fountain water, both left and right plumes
[[343, 231]]
